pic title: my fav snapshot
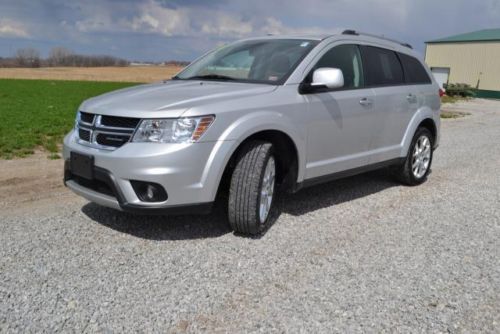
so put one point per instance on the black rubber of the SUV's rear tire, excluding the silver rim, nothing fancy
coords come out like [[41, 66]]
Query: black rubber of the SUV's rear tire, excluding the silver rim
[[404, 172]]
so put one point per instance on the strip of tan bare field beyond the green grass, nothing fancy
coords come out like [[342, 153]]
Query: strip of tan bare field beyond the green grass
[[121, 74]]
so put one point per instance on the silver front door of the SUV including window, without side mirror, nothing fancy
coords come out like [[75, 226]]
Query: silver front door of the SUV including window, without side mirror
[[339, 121]]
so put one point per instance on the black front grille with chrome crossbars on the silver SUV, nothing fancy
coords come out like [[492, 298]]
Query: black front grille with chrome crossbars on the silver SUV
[[105, 132]]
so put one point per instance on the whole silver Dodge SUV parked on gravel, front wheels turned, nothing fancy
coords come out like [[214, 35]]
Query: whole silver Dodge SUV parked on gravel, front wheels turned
[[254, 117]]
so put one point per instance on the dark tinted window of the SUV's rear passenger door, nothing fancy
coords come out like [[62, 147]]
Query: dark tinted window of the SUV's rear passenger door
[[381, 67]]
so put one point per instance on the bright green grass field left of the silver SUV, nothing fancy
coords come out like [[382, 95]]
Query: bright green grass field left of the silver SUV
[[38, 113]]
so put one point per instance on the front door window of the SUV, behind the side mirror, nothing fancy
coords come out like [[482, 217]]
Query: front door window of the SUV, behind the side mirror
[[346, 58]]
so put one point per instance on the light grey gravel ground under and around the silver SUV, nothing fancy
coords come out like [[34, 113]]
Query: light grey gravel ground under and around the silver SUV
[[357, 255]]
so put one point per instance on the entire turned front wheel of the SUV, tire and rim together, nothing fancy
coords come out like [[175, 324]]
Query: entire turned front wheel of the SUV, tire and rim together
[[252, 188]]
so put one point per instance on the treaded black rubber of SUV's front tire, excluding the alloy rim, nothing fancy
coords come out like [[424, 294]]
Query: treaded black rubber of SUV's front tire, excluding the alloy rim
[[245, 188]]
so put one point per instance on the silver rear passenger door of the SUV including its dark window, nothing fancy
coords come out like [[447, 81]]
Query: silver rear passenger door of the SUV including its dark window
[[394, 102]]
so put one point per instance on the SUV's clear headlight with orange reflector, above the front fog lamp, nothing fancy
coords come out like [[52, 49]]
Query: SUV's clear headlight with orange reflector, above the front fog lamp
[[180, 130]]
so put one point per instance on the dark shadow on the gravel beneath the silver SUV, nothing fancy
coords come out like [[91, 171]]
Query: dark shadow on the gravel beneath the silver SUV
[[215, 224]]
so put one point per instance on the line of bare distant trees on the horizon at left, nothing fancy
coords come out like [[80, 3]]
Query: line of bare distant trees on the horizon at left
[[59, 56]]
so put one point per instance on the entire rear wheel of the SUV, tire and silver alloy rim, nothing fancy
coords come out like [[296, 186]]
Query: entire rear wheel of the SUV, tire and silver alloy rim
[[417, 165]]
